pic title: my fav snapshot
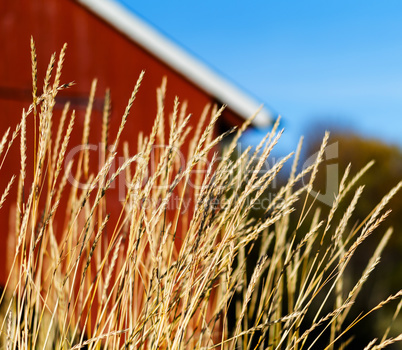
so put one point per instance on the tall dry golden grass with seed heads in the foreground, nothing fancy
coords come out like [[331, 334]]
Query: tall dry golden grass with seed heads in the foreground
[[173, 279]]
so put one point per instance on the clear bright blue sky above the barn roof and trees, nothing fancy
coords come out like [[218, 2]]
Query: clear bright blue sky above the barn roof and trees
[[336, 63]]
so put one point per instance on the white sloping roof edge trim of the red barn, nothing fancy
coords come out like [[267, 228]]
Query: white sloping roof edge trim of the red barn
[[170, 53]]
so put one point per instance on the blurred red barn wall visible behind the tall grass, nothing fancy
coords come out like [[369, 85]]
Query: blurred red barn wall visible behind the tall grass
[[95, 49]]
